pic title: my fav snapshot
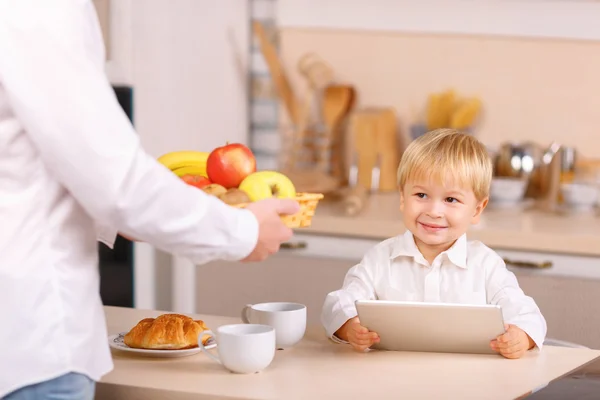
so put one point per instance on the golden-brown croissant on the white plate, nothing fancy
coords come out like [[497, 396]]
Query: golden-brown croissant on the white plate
[[166, 332]]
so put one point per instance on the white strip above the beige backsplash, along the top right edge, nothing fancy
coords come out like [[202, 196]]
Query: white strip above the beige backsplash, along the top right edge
[[558, 19]]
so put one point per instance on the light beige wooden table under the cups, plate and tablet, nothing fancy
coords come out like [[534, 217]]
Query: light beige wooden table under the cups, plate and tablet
[[318, 369]]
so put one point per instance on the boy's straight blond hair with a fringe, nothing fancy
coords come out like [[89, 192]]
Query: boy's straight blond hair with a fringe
[[444, 154]]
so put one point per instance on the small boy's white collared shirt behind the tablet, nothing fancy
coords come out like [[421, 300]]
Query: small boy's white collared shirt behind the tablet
[[467, 273]]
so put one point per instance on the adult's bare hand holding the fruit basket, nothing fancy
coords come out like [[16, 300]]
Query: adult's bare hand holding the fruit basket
[[271, 230]]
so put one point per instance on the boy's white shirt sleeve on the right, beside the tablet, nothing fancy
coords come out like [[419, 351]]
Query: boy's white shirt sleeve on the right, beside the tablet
[[517, 308]]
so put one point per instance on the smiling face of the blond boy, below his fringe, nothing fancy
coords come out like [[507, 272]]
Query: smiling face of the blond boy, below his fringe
[[437, 215]]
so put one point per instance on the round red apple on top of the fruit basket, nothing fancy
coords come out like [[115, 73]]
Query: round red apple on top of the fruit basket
[[230, 164]]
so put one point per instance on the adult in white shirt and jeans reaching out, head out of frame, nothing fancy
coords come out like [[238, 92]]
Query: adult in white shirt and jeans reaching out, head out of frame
[[71, 165]]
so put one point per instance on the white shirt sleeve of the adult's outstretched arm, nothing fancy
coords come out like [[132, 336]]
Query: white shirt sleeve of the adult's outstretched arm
[[62, 98]]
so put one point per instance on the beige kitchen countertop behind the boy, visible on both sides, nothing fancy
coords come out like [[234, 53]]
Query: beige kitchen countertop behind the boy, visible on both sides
[[521, 228]]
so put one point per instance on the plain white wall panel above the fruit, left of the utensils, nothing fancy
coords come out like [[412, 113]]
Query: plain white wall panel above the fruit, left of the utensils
[[187, 62]]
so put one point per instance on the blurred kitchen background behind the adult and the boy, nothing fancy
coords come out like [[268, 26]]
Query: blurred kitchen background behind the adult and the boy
[[331, 92]]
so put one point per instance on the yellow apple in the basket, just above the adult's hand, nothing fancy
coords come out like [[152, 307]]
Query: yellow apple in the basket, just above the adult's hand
[[264, 184]]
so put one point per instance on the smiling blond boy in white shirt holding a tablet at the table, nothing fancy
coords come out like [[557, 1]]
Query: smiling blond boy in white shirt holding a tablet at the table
[[444, 179]]
